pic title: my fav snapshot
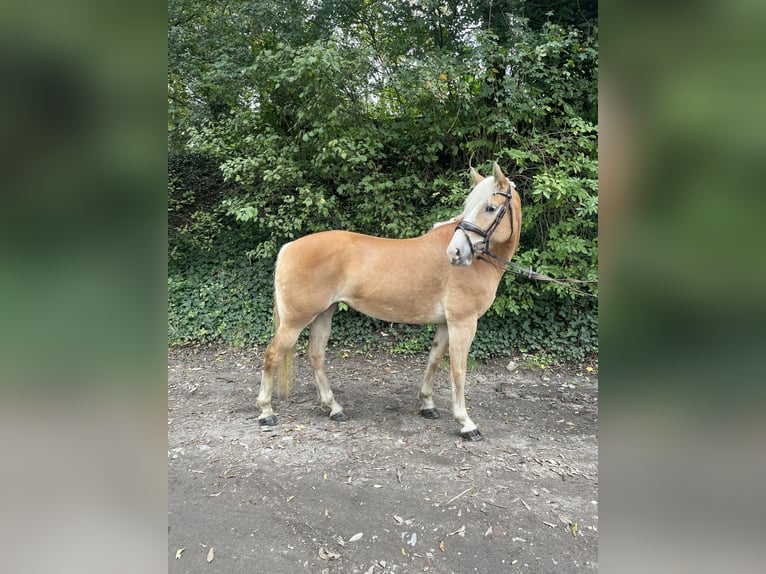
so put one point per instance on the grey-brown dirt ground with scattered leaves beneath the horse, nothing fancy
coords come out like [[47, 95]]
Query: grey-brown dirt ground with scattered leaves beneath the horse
[[385, 491]]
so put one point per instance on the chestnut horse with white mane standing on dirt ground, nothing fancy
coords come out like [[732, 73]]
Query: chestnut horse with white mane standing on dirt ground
[[443, 277]]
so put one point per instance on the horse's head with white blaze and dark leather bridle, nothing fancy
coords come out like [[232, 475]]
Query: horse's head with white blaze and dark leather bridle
[[483, 222]]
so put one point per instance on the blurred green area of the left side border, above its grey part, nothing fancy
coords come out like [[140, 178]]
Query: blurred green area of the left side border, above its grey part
[[83, 224]]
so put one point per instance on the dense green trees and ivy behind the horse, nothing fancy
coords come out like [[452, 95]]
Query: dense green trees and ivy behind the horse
[[291, 118]]
